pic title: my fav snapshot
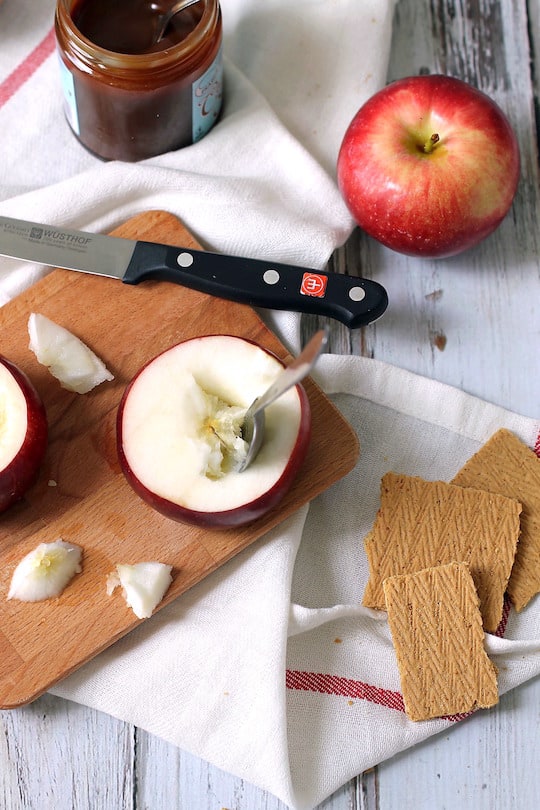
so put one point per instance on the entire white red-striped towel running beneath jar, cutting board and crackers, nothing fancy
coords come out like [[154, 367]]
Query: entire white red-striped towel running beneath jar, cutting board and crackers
[[269, 668]]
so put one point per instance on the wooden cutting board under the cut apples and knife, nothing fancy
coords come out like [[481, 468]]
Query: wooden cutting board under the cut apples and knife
[[82, 496]]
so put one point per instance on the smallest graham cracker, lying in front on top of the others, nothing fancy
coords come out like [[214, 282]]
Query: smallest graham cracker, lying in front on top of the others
[[437, 632]]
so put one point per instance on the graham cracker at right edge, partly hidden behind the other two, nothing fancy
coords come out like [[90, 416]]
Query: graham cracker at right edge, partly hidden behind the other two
[[507, 466]]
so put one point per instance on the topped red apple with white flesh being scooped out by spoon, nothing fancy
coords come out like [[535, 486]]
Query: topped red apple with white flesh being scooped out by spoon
[[179, 432]]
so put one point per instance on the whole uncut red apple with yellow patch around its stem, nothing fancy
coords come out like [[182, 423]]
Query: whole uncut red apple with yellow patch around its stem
[[437, 203]]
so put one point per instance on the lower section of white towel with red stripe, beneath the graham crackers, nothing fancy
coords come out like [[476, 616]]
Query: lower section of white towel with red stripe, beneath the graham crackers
[[271, 668]]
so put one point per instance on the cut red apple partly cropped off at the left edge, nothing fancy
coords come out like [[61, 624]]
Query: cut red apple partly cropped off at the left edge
[[23, 433]]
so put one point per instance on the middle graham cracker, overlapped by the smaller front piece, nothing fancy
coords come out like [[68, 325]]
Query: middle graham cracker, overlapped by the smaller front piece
[[421, 524]]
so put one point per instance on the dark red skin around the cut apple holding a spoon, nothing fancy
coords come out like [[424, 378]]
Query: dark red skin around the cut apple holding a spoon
[[225, 518]]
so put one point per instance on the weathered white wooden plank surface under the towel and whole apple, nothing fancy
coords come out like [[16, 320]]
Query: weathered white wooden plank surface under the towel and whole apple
[[474, 322]]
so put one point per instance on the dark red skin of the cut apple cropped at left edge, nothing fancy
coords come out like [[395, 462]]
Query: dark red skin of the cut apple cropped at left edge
[[19, 472]]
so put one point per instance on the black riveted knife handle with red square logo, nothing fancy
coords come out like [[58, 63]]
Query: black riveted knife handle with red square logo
[[351, 300]]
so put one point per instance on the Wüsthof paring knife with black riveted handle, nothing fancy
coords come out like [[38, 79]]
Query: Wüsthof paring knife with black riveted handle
[[351, 300]]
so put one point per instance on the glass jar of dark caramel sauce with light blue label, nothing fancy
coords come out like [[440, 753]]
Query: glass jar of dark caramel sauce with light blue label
[[126, 98]]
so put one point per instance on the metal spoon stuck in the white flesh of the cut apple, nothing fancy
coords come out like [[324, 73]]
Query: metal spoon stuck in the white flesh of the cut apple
[[254, 423]]
